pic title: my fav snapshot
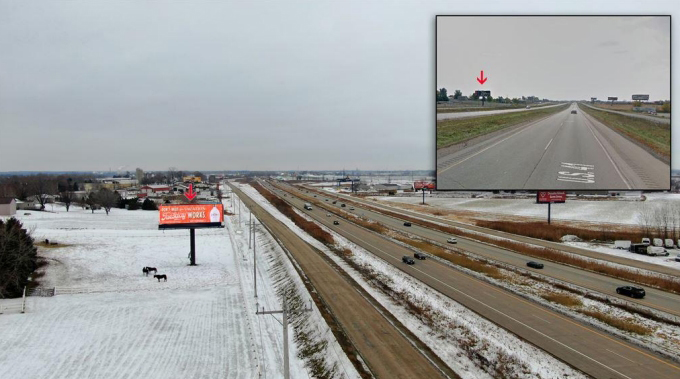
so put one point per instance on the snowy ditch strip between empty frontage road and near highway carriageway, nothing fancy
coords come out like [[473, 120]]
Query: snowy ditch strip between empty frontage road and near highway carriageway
[[456, 322]]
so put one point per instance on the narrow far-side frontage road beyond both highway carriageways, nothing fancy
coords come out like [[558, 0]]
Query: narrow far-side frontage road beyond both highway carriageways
[[549, 244]]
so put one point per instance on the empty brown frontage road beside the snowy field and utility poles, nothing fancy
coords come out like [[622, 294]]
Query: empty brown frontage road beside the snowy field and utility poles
[[385, 350]]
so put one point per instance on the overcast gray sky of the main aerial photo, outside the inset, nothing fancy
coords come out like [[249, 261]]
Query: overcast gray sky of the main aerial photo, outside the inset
[[88, 85]]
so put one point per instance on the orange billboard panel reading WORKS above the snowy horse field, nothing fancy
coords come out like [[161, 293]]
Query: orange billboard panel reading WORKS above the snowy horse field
[[190, 216]]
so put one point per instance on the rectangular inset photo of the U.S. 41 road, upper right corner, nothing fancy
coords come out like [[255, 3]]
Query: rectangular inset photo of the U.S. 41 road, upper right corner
[[553, 102]]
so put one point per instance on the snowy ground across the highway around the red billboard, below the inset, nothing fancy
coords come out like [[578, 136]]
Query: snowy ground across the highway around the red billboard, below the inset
[[615, 212]]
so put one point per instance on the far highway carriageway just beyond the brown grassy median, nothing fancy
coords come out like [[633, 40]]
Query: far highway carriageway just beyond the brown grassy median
[[657, 299]]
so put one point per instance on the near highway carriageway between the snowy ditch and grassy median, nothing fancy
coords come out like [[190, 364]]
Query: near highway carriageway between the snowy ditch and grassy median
[[593, 352]]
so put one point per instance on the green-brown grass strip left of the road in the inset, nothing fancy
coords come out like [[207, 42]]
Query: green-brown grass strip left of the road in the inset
[[451, 132]]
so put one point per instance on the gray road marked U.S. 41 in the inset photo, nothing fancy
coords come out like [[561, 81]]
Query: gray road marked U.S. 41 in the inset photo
[[564, 151]]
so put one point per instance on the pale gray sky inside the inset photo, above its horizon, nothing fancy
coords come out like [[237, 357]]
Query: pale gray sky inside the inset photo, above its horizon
[[562, 58]]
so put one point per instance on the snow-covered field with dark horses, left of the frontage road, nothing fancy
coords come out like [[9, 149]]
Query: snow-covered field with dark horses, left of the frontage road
[[201, 323]]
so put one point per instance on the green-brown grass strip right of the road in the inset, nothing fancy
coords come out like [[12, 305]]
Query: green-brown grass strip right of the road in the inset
[[654, 136]]
